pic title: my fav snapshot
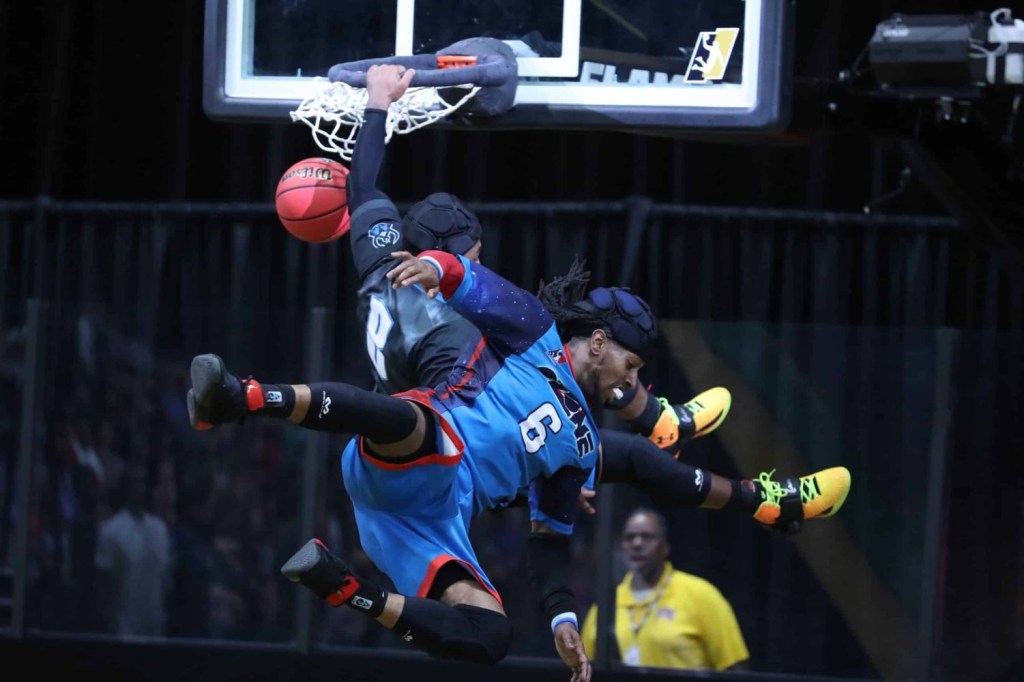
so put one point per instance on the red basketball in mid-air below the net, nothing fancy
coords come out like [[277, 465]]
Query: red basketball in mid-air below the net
[[312, 202]]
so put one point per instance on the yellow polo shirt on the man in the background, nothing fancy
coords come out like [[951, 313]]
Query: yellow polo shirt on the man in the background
[[690, 626]]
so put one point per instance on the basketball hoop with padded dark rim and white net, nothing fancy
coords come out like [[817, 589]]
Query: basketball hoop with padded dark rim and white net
[[478, 75]]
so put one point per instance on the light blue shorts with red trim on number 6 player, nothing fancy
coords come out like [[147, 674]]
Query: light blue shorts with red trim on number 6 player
[[414, 518]]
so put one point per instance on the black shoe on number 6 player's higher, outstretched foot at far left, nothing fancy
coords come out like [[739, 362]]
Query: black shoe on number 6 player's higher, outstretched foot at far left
[[218, 397]]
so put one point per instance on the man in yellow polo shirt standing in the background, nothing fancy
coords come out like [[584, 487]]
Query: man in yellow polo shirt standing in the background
[[666, 618]]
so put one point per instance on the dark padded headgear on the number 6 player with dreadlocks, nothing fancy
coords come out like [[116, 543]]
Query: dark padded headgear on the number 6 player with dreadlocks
[[624, 316]]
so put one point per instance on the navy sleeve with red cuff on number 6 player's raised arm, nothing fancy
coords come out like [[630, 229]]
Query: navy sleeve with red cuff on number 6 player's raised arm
[[510, 318]]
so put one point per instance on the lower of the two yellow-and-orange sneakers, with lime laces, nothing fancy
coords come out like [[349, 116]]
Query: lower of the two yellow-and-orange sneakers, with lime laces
[[790, 501]]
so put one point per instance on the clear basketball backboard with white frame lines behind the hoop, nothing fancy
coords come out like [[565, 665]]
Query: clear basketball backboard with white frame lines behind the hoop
[[607, 64]]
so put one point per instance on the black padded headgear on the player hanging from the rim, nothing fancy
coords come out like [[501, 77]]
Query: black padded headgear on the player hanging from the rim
[[442, 222]]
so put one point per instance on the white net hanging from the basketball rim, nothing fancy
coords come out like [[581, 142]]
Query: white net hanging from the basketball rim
[[335, 114]]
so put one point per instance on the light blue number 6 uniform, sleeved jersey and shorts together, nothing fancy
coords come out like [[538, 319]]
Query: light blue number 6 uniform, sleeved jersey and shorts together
[[511, 420]]
